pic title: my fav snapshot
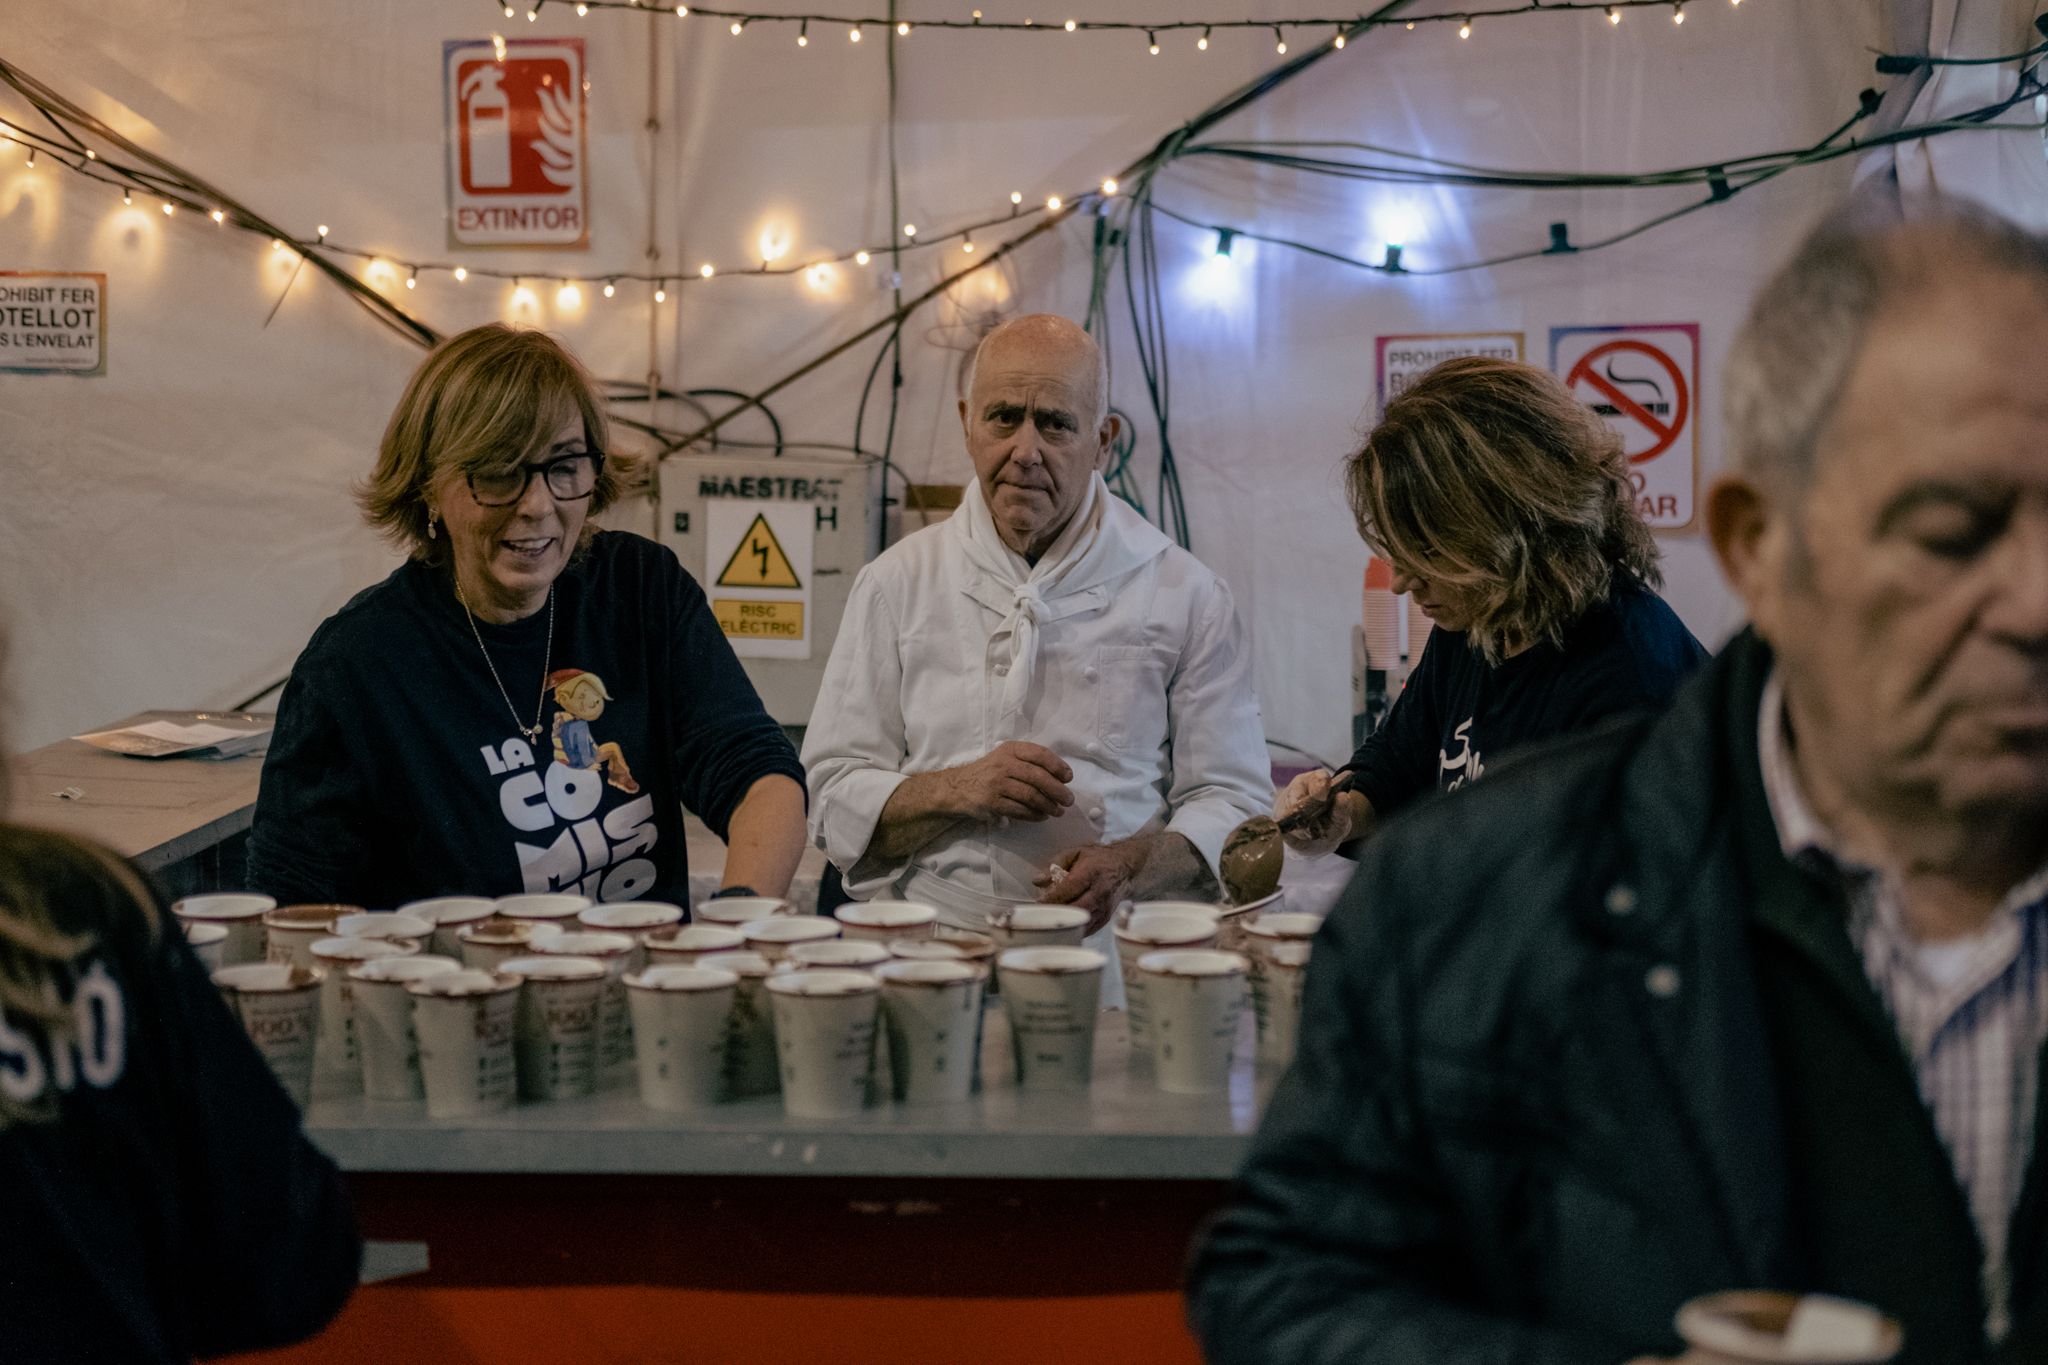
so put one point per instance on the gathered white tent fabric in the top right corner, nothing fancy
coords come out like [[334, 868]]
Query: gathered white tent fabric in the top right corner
[[2002, 171]]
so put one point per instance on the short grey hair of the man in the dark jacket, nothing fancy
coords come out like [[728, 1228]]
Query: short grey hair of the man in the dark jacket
[[1807, 326]]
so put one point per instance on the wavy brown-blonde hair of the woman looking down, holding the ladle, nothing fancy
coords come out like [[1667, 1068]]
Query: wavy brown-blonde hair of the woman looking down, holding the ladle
[[1492, 480]]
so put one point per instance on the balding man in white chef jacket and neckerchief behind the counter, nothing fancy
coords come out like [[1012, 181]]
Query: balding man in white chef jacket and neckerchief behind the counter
[[1043, 699]]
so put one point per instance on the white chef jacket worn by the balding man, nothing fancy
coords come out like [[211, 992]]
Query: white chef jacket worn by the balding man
[[1142, 685]]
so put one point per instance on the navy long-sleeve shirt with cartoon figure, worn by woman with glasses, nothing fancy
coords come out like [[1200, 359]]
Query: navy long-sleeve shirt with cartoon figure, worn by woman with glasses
[[398, 768]]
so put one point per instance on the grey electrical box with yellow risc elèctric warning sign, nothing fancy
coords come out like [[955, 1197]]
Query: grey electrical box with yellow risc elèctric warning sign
[[775, 543]]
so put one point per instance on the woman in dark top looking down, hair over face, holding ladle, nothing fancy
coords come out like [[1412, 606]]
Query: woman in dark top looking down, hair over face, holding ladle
[[1506, 509]]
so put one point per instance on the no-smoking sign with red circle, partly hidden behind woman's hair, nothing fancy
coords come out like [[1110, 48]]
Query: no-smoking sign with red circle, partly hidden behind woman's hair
[[1646, 382]]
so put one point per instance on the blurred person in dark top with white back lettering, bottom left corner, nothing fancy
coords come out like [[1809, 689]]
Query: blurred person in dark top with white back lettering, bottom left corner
[[159, 1198]]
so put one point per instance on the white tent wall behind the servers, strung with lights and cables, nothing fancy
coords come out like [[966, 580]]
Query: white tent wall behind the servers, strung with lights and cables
[[173, 531]]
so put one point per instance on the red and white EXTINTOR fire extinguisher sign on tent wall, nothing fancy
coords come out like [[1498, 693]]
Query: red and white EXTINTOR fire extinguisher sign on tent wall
[[517, 144]]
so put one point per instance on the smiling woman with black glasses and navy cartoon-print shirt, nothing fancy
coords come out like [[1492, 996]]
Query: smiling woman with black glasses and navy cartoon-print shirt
[[529, 703]]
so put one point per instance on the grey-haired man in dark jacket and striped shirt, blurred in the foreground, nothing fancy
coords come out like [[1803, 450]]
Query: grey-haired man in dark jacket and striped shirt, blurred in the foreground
[[1752, 994]]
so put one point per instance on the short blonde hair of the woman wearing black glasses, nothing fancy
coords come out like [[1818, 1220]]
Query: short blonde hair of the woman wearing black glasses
[[484, 402]]
